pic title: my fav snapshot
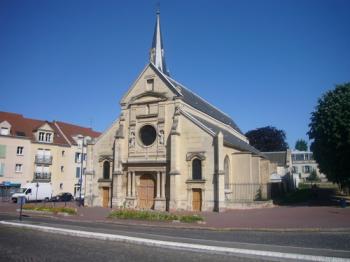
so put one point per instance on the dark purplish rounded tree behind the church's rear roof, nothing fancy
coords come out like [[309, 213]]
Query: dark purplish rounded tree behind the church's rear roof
[[267, 139]]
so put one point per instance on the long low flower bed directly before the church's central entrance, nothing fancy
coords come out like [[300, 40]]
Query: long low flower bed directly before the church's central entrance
[[153, 215]]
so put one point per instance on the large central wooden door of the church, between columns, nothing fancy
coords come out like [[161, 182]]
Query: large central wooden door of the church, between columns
[[146, 192]]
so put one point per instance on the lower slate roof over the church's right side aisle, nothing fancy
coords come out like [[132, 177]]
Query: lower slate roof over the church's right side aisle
[[228, 137]]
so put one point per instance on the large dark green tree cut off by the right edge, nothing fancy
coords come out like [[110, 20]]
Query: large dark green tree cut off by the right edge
[[330, 132]]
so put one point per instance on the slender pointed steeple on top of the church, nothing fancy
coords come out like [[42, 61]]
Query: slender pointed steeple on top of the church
[[157, 52]]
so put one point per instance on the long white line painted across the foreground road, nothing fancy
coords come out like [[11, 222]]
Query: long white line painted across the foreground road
[[175, 245]]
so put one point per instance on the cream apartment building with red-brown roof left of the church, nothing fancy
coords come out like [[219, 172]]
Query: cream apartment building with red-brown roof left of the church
[[34, 150]]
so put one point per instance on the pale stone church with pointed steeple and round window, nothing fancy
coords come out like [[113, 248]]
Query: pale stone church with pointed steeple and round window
[[171, 150]]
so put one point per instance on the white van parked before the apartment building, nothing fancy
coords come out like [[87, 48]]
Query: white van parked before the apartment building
[[33, 192]]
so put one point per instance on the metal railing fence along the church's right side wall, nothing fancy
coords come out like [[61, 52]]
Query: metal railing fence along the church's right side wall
[[247, 192]]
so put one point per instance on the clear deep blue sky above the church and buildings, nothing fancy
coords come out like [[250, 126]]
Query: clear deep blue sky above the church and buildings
[[262, 62]]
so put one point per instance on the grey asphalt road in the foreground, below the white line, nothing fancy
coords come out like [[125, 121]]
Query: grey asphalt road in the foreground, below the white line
[[28, 245]]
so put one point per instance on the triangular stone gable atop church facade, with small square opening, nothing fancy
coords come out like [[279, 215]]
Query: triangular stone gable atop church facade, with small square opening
[[163, 87]]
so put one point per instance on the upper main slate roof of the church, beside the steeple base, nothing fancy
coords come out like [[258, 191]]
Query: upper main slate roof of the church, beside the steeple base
[[200, 104]]
